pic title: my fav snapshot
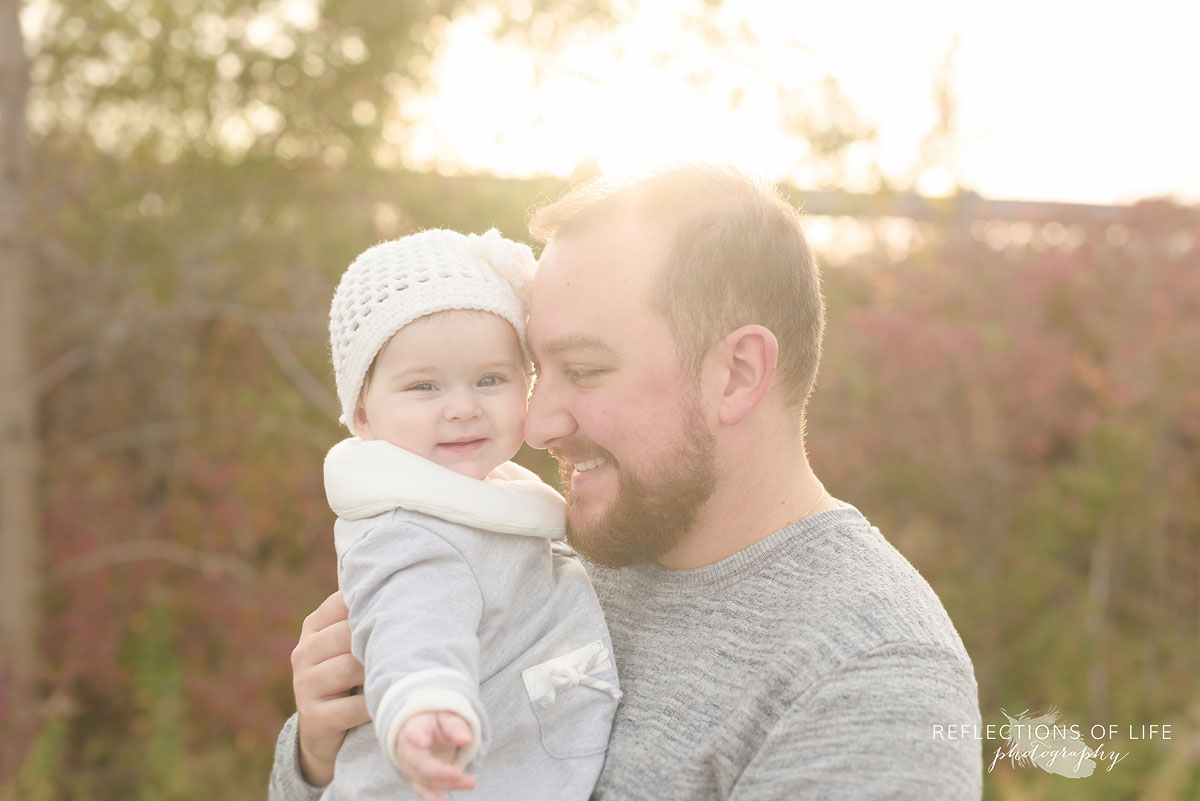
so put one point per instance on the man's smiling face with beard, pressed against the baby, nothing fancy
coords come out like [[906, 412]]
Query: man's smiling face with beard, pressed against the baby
[[613, 402]]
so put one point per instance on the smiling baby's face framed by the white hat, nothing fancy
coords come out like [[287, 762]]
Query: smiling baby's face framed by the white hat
[[451, 388]]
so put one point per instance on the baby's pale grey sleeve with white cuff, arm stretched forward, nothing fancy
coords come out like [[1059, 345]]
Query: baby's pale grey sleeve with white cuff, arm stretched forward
[[416, 610]]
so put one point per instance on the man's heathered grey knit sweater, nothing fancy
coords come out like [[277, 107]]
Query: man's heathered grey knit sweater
[[813, 665]]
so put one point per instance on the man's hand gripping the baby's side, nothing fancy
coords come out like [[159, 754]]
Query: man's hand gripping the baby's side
[[323, 676]]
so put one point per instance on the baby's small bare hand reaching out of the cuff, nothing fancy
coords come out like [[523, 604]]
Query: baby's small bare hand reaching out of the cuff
[[425, 752]]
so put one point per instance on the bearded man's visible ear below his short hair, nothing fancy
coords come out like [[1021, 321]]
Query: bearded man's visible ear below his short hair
[[741, 370]]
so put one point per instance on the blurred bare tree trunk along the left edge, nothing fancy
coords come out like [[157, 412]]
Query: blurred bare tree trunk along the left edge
[[20, 540]]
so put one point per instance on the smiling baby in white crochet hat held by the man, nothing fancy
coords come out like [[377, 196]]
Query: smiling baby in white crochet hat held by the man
[[484, 645]]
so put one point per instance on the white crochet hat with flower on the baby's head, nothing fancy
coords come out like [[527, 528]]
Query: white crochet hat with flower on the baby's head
[[394, 284]]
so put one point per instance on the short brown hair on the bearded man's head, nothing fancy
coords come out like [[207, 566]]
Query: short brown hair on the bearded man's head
[[739, 258]]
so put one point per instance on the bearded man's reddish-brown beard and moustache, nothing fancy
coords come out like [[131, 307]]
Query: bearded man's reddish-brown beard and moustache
[[650, 516]]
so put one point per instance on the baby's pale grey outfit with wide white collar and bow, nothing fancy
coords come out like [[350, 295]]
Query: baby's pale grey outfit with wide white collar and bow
[[459, 601]]
